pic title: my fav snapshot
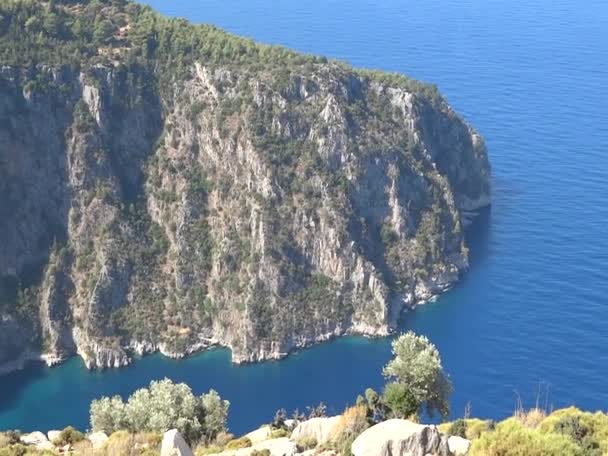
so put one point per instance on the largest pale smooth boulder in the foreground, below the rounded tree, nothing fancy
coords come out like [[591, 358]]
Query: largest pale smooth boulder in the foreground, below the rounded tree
[[401, 438]]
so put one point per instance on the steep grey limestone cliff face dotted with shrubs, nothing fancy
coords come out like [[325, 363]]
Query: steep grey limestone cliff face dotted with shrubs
[[241, 207]]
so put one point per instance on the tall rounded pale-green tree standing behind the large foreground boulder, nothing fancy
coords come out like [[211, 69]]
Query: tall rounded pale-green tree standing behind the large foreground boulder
[[417, 366]]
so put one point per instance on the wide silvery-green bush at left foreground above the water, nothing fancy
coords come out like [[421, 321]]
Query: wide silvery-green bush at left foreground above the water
[[163, 406]]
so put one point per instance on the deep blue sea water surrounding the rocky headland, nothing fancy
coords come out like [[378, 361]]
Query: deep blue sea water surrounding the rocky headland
[[532, 77]]
